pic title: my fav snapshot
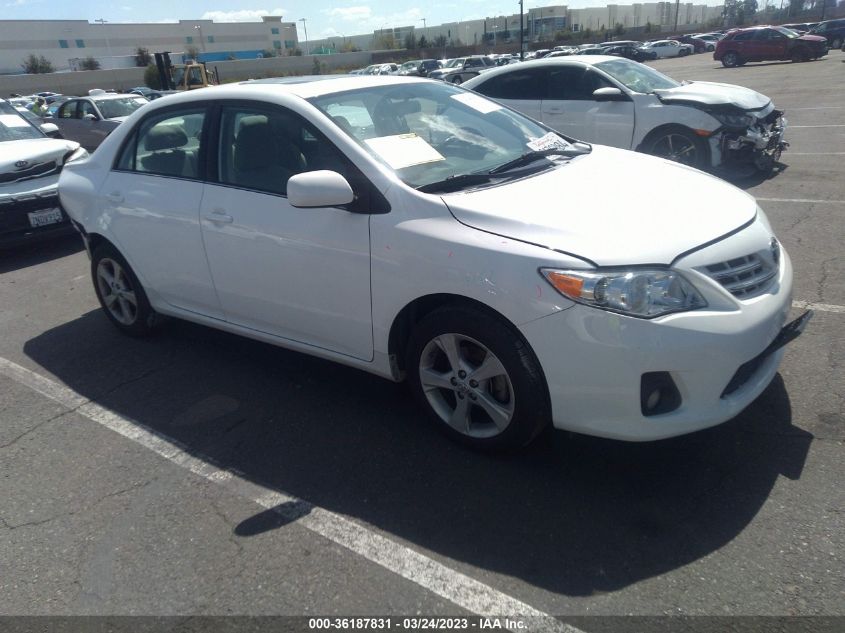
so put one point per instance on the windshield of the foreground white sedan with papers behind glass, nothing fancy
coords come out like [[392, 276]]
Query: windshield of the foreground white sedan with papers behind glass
[[430, 132]]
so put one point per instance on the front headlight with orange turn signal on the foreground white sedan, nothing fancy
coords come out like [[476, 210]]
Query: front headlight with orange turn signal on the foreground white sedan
[[643, 293]]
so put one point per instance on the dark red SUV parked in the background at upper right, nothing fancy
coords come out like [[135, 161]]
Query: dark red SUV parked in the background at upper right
[[761, 43]]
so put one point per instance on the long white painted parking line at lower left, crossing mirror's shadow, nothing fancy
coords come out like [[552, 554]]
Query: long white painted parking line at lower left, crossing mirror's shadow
[[458, 588]]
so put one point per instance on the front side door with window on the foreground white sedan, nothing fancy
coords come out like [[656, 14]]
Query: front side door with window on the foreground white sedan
[[298, 274]]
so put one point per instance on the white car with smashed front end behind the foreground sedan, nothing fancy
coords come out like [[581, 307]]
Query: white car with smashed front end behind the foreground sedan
[[621, 103]]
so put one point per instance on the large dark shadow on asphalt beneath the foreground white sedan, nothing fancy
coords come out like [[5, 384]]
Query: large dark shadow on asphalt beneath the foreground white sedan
[[573, 515]]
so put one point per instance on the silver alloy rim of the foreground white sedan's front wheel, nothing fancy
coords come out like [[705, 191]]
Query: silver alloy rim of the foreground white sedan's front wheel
[[466, 385]]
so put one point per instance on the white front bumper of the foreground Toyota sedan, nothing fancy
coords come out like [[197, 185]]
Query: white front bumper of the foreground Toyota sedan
[[594, 362]]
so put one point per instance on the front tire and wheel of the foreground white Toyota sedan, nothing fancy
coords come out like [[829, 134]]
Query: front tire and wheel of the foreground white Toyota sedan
[[505, 406]]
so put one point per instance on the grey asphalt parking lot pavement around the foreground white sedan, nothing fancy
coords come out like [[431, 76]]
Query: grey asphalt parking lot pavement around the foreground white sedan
[[198, 473]]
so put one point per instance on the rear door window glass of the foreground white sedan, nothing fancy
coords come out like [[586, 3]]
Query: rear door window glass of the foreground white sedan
[[166, 145]]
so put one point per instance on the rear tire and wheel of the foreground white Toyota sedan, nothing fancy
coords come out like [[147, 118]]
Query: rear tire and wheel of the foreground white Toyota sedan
[[120, 293]]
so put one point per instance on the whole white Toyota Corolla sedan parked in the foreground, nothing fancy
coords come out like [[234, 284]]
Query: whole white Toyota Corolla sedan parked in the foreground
[[416, 230]]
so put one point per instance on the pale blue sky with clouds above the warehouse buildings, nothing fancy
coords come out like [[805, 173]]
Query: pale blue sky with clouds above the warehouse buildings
[[323, 18]]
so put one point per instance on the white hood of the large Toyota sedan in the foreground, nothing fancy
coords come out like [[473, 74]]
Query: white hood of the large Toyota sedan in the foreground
[[611, 207]]
